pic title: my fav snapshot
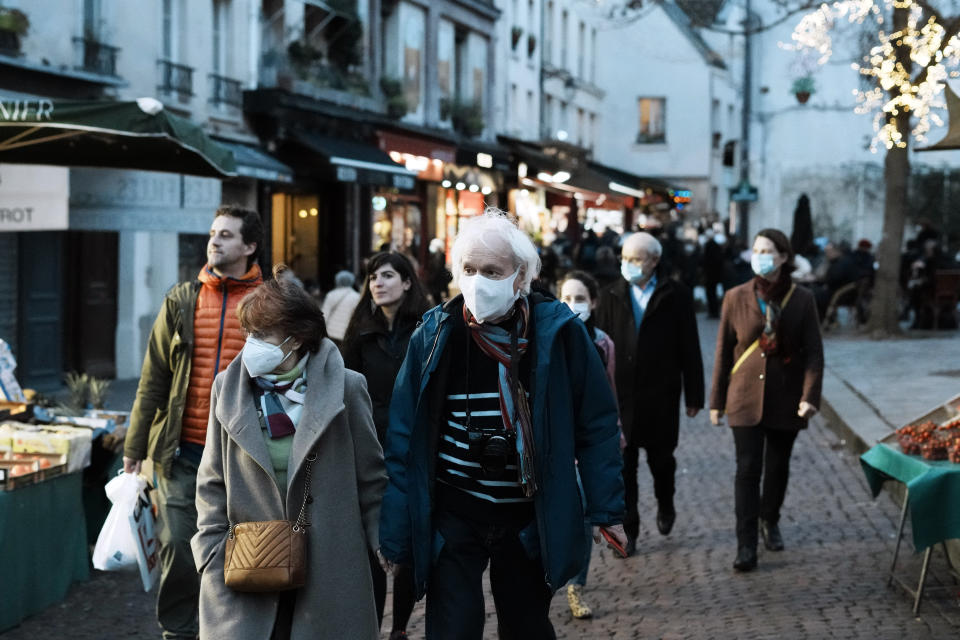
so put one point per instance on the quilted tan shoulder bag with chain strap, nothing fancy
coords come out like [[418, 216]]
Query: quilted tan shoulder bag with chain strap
[[270, 555]]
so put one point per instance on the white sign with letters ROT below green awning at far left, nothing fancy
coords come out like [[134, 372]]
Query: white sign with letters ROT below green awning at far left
[[33, 197]]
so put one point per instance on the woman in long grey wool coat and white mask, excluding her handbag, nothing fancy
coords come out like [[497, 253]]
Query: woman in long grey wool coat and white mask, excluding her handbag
[[288, 394]]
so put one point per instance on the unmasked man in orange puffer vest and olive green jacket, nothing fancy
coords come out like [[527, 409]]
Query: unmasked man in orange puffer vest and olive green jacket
[[195, 336]]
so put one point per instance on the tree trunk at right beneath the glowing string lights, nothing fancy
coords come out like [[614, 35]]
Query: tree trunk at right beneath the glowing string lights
[[884, 308]]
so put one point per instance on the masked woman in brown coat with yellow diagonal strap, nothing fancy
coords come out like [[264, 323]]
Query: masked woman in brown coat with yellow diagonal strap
[[767, 376]]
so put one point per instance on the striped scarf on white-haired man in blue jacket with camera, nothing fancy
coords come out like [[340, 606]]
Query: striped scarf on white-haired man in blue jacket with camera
[[507, 347]]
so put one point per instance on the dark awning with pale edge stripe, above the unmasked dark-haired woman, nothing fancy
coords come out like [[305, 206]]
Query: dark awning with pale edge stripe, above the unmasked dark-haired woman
[[357, 162]]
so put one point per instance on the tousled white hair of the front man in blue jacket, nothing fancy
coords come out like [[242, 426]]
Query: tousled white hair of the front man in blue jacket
[[496, 222]]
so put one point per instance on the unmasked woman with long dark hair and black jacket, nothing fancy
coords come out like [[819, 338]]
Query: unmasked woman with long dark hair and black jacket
[[375, 344]]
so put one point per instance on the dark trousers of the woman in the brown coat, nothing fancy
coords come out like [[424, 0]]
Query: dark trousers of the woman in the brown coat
[[765, 452]]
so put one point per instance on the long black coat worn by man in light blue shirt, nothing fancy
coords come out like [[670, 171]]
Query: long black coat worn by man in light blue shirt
[[655, 363]]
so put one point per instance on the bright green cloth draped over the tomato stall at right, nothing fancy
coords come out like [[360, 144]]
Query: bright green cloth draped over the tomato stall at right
[[934, 487]]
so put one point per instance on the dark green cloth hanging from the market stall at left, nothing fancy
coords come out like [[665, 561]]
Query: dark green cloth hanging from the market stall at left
[[43, 546]]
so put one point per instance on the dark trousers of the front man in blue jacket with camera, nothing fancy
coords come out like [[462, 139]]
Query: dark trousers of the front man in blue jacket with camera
[[455, 608]]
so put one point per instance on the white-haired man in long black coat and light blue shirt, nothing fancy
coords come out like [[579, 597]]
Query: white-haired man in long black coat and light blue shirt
[[651, 321]]
